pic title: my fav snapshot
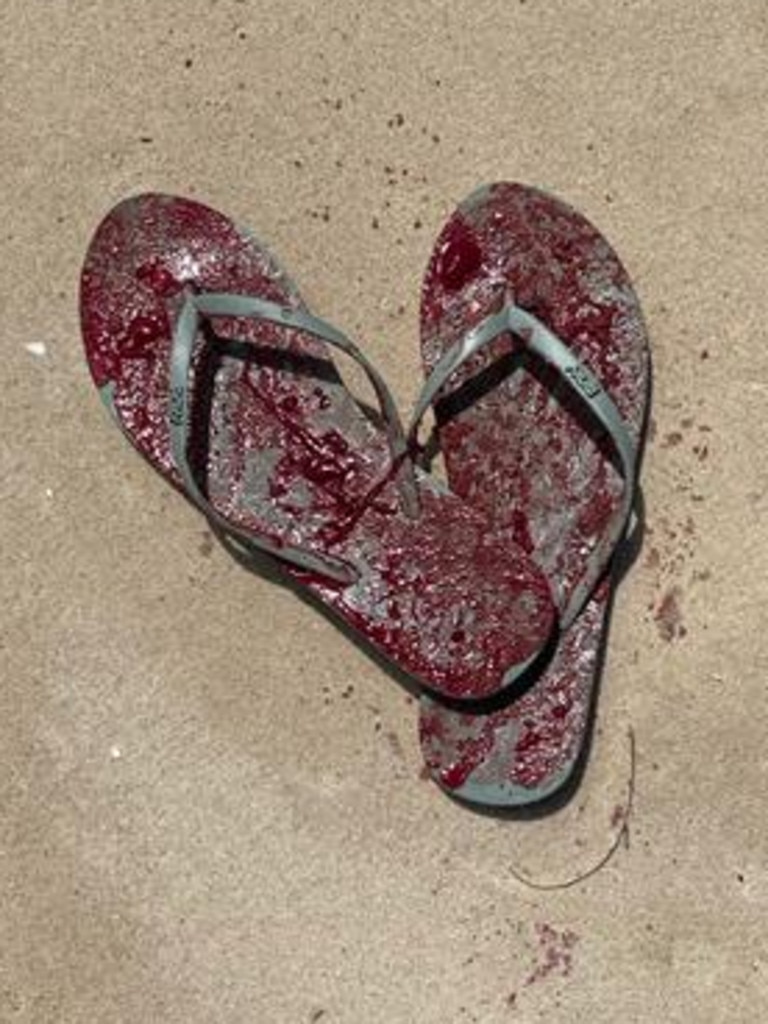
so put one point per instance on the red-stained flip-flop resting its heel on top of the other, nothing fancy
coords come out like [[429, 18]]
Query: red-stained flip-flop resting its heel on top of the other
[[215, 369]]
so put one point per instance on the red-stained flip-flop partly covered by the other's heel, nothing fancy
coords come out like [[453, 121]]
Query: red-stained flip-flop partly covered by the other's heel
[[542, 429]]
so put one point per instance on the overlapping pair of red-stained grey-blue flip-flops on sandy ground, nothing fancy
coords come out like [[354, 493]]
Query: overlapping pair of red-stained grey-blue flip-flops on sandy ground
[[492, 595]]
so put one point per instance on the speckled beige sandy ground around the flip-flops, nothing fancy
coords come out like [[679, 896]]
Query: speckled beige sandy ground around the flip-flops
[[210, 802]]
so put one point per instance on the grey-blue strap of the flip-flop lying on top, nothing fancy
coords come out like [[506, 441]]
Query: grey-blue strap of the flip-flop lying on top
[[185, 335]]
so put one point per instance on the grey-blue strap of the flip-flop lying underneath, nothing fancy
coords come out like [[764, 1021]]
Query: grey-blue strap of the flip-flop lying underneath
[[585, 386]]
